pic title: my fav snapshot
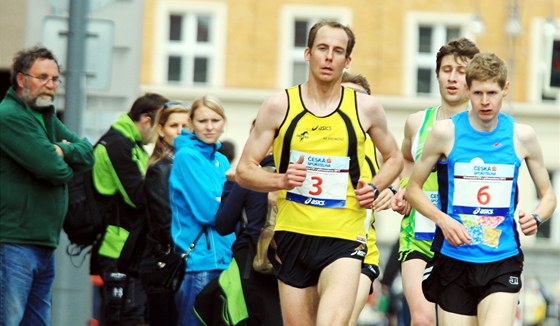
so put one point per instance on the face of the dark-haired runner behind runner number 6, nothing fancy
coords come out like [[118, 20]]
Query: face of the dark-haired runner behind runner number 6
[[451, 80]]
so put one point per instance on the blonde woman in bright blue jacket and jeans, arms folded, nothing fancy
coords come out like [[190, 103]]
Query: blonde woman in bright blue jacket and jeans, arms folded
[[195, 189]]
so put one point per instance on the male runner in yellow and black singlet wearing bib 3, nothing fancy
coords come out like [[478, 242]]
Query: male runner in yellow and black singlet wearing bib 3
[[318, 130]]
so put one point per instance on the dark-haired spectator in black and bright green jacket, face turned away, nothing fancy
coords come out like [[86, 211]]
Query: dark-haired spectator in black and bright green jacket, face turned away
[[118, 177]]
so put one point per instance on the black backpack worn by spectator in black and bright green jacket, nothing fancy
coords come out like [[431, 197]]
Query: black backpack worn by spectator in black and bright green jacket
[[84, 222]]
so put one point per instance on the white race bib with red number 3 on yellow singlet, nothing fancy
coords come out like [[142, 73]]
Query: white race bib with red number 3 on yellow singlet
[[326, 182]]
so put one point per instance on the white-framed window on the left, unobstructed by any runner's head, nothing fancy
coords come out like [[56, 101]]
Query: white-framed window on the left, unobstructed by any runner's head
[[190, 44]]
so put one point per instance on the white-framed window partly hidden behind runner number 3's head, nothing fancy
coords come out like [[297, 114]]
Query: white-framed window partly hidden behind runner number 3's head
[[300, 19]]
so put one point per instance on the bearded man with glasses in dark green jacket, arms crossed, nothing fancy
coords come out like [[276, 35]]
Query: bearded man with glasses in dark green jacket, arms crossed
[[38, 156]]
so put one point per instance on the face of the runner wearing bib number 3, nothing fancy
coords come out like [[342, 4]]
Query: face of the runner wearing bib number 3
[[327, 58]]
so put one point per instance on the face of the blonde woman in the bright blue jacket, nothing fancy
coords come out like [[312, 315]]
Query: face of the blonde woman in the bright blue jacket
[[207, 125]]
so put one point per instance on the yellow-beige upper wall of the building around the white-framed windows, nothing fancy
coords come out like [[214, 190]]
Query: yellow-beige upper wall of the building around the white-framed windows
[[252, 49]]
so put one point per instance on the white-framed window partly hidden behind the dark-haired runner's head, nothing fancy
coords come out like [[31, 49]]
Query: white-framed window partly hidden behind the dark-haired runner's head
[[426, 33]]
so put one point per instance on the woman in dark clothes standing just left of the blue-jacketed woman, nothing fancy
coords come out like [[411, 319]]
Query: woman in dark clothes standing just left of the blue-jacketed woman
[[169, 122]]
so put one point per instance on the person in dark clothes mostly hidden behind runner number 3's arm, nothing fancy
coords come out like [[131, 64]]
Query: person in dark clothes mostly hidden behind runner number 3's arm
[[260, 290]]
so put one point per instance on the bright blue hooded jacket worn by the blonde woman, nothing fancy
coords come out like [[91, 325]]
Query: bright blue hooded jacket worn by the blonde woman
[[195, 188]]
